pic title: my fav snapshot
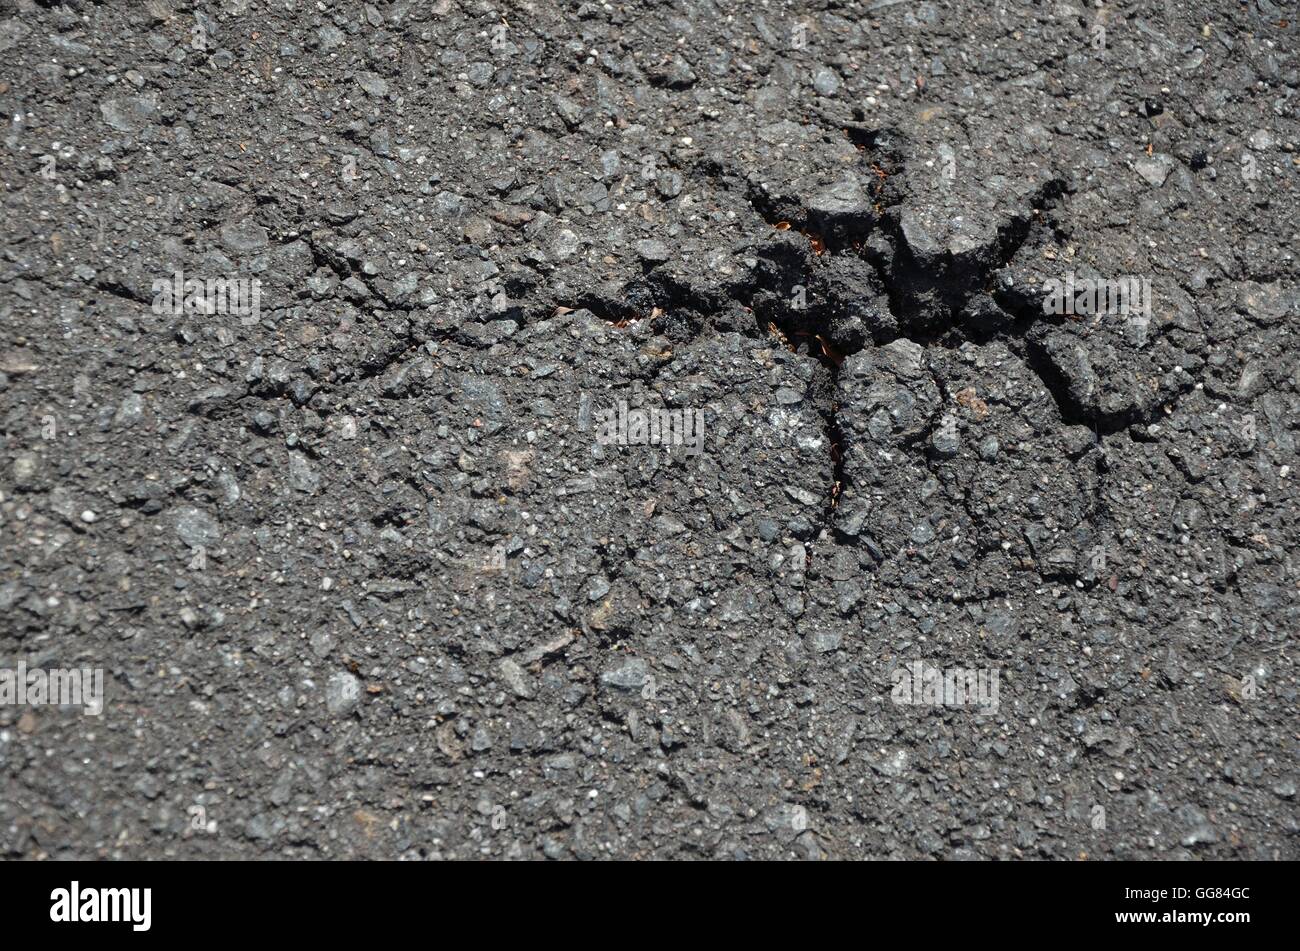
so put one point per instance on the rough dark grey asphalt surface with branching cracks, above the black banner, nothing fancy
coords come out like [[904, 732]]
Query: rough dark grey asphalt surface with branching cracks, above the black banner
[[367, 579]]
